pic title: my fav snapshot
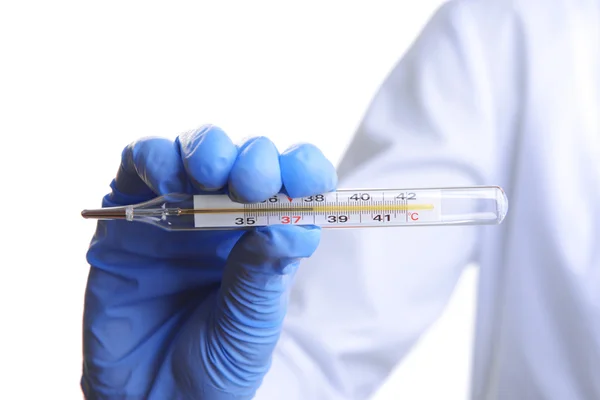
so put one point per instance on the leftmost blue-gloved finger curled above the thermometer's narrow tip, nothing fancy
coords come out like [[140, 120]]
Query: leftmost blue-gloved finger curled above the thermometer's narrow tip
[[150, 167]]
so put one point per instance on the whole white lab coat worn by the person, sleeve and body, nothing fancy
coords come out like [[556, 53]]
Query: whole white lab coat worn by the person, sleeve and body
[[491, 92]]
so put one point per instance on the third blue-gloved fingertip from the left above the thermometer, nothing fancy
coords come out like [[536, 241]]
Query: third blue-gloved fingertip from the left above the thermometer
[[256, 175]]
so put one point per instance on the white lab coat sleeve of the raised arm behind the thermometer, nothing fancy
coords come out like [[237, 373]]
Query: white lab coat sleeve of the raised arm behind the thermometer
[[366, 296]]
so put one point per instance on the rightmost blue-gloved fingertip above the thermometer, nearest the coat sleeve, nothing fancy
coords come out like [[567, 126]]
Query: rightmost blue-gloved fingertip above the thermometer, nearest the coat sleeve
[[305, 171]]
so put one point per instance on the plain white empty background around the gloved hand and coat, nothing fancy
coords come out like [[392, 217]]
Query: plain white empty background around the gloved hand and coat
[[80, 80]]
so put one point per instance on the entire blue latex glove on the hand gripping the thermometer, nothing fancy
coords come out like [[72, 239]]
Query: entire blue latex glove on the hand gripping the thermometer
[[194, 315]]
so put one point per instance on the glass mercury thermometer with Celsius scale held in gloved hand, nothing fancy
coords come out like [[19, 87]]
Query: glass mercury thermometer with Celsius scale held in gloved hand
[[344, 208]]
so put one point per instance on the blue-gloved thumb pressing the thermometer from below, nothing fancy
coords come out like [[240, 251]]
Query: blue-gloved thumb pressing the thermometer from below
[[227, 354]]
